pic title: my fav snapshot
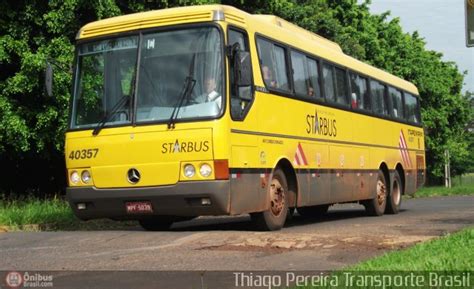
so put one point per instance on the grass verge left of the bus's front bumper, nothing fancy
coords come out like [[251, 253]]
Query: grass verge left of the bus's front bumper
[[33, 214]]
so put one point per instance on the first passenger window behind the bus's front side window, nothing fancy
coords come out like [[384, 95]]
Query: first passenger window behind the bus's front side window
[[273, 64]]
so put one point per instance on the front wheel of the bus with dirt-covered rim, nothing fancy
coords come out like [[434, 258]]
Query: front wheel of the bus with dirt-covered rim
[[274, 218]]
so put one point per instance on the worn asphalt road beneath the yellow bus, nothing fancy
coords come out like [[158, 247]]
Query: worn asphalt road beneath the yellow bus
[[344, 236]]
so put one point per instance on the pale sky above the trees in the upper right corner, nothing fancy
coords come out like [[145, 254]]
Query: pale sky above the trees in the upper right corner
[[441, 23]]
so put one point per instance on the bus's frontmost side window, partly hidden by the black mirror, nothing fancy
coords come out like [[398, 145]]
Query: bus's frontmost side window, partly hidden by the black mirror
[[238, 106]]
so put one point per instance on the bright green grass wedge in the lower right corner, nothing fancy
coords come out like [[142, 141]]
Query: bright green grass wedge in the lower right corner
[[448, 255]]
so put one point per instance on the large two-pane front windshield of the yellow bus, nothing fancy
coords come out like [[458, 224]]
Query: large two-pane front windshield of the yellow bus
[[110, 86]]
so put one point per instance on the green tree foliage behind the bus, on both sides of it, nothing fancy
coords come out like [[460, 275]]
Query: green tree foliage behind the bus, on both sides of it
[[32, 125]]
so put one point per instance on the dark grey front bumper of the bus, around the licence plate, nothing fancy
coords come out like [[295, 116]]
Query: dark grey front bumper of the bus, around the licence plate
[[182, 199]]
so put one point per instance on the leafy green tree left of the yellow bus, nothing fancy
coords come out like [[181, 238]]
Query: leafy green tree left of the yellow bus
[[32, 125]]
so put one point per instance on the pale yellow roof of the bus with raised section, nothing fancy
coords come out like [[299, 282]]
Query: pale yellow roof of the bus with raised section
[[268, 25]]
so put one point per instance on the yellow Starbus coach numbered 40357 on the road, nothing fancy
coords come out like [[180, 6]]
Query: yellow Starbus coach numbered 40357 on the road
[[209, 110]]
